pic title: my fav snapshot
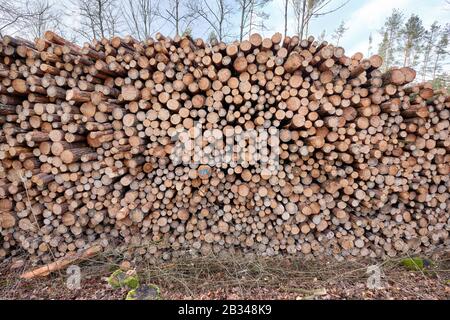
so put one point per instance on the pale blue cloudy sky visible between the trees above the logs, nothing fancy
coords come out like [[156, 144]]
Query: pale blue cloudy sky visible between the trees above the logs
[[362, 18]]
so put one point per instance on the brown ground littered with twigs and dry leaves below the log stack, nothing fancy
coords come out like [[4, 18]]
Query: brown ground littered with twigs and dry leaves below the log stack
[[239, 277]]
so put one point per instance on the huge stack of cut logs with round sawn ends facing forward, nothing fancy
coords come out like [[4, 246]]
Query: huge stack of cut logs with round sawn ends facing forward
[[90, 149]]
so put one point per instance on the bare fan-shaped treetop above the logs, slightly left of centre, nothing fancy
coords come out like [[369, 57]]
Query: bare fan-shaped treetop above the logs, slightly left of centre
[[179, 15]]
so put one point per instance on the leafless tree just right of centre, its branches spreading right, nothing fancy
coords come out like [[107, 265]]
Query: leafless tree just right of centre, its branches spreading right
[[250, 12]]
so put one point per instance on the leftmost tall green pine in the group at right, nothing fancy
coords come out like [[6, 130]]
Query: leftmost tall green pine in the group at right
[[391, 32]]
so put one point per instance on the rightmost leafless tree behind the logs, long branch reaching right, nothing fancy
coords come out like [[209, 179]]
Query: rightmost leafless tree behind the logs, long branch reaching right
[[307, 10]]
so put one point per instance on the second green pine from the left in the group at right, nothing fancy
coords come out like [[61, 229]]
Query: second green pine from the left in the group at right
[[412, 36]]
